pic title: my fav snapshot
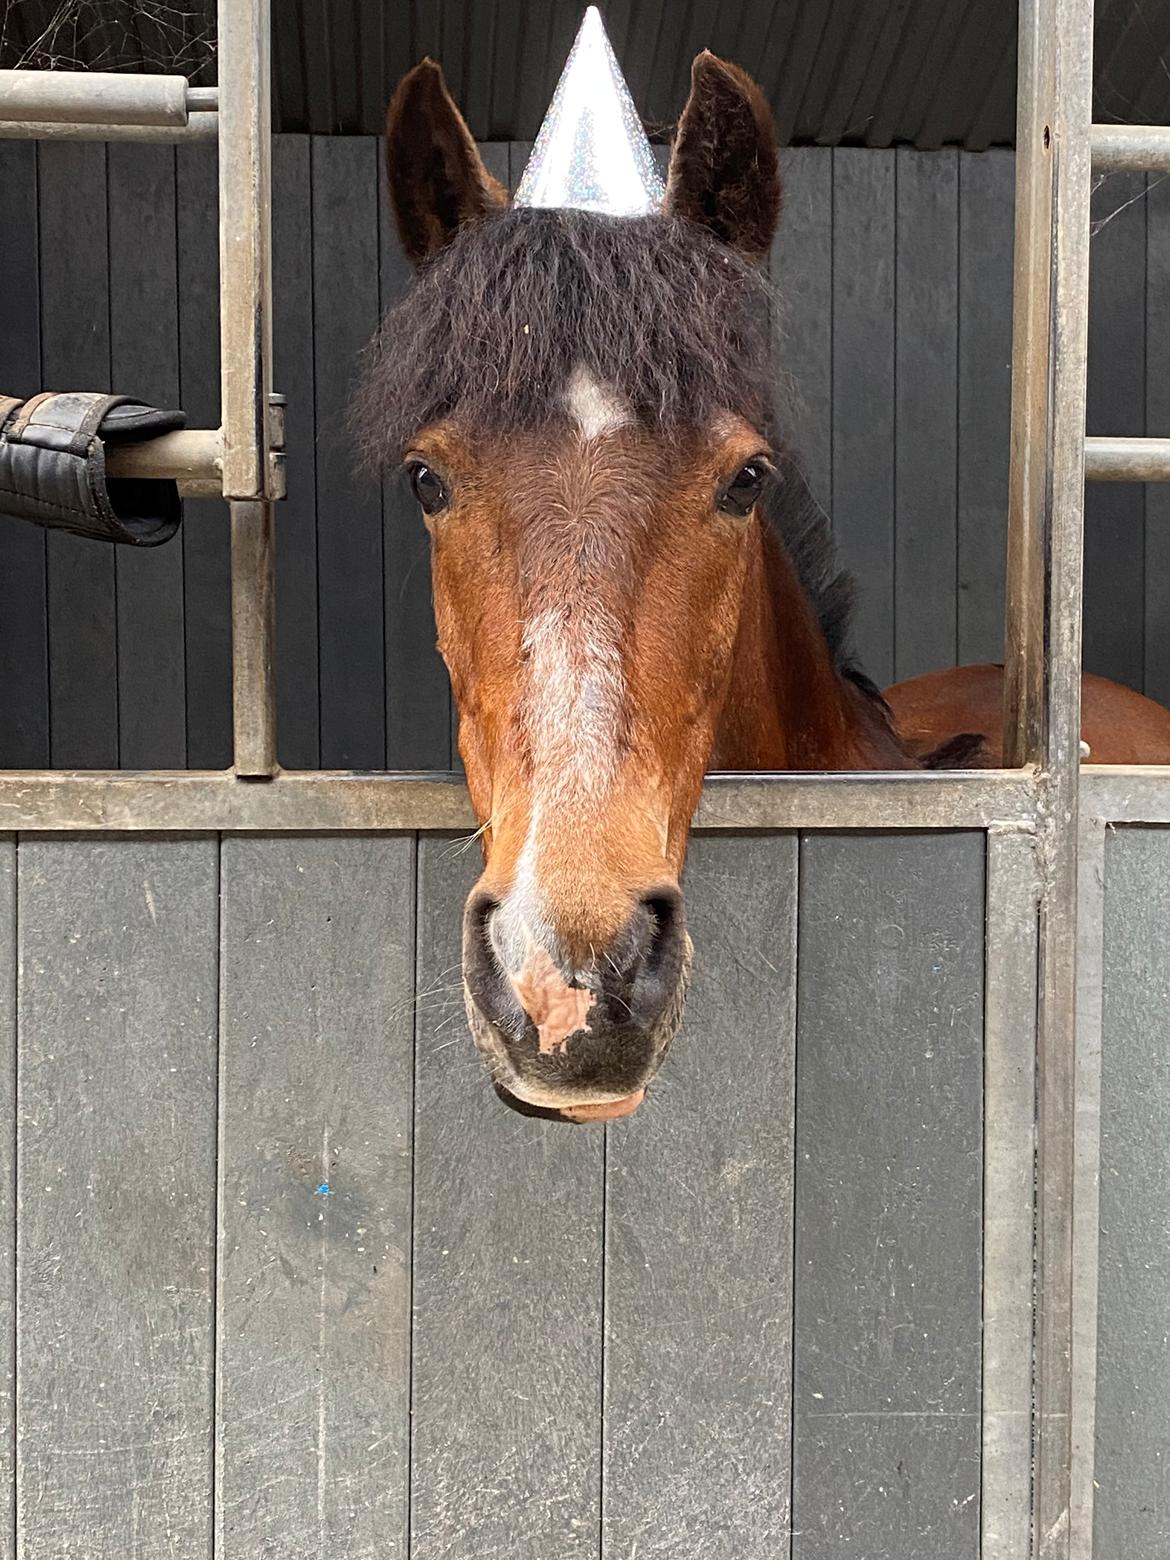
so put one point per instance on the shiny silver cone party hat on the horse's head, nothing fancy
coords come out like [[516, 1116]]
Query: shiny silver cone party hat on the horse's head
[[592, 152]]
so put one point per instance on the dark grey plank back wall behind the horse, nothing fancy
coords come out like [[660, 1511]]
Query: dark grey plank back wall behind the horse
[[896, 268]]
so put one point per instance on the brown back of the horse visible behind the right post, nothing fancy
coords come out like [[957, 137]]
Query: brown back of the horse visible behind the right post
[[1121, 726]]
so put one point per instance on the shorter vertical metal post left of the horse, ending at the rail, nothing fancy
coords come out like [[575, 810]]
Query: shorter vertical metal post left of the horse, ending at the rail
[[250, 478]]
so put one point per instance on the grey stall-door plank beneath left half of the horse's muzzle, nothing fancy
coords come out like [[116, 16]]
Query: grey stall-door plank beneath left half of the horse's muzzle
[[508, 1285]]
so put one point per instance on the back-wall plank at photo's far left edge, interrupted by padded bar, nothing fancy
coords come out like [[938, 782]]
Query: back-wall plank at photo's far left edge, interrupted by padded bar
[[24, 645]]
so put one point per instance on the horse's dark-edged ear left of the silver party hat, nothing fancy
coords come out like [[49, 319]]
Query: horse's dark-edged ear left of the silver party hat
[[438, 179]]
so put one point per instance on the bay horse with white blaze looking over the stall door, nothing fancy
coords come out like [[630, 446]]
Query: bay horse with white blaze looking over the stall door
[[633, 583]]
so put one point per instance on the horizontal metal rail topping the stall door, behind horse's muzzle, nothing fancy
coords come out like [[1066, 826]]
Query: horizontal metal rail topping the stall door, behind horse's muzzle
[[339, 801]]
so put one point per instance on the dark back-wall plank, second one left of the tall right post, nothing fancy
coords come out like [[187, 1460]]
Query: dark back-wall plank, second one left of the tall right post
[[926, 355]]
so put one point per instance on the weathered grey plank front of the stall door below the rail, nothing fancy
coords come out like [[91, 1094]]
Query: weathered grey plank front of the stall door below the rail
[[441, 1330]]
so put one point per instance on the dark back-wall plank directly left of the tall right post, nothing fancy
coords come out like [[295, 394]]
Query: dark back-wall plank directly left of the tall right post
[[987, 190]]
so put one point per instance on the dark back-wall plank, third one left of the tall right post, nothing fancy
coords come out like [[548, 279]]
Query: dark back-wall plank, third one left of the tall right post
[[863, 392]]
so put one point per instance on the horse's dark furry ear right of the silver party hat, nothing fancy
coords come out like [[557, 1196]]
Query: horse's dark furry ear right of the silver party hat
[[725, 169]]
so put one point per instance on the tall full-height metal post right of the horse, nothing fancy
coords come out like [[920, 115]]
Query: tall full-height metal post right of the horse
[[1044, 650]]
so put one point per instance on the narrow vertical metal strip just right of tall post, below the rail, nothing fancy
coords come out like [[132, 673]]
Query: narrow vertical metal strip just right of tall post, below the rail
[[1087, 1197]]
